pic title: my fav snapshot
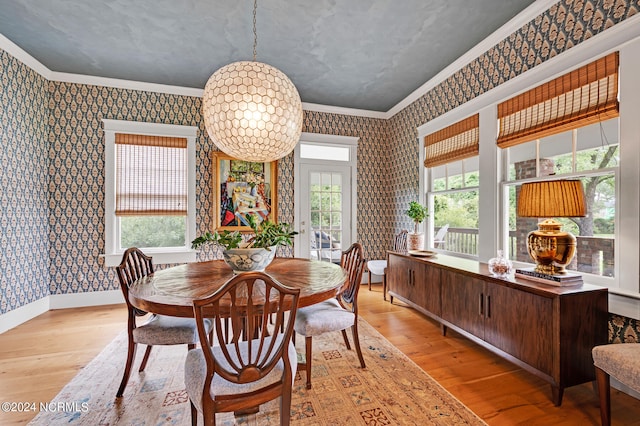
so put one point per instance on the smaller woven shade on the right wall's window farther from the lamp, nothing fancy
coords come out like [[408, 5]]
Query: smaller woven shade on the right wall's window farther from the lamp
[[456, 142]]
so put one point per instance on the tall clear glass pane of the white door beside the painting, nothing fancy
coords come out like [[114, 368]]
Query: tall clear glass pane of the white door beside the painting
[[326, 216]]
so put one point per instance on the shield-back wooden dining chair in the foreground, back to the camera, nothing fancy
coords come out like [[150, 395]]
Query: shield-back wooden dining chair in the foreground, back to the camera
[[257, 363]]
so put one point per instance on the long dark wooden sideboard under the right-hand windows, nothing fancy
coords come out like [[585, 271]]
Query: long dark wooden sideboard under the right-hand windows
[[547, 330]]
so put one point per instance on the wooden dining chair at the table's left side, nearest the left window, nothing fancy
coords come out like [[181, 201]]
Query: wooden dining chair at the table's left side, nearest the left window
[[158, 329]]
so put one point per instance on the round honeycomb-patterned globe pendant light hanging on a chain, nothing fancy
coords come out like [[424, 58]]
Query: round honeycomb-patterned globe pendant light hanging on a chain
[[252, 111]]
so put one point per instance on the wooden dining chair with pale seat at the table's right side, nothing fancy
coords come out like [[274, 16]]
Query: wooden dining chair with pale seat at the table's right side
[[336, 314]]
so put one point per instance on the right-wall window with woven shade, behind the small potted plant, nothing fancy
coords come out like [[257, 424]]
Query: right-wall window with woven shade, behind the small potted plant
[[451, 156]]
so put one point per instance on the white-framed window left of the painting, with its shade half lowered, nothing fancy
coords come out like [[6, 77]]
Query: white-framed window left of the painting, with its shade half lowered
[[150, 190]]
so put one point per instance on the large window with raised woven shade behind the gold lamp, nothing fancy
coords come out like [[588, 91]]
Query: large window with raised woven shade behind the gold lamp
[[566, 128]]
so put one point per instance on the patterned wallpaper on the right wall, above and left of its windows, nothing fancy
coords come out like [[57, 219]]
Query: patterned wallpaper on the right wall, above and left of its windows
[[564, 25]]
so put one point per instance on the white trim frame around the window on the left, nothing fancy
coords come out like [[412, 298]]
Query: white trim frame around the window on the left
[[169, 255]]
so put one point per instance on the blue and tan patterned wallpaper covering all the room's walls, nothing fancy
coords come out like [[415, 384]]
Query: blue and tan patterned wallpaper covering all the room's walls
[[53, 216]]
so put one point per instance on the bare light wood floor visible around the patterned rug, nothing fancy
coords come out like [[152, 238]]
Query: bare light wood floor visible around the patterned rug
[[39, 357]]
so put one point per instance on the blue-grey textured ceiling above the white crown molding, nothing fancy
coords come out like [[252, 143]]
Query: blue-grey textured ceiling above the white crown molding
[[365, 54]]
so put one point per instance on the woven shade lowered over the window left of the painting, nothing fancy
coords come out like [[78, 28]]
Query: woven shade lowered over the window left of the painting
[[151, 175]]
